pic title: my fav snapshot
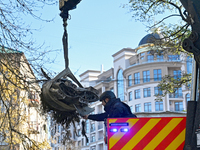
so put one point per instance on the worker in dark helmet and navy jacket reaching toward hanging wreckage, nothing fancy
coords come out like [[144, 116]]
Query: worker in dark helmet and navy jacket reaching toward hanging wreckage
[[113, 107]]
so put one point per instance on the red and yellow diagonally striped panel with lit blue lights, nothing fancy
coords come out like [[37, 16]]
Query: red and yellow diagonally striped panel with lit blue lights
[[166, 133]]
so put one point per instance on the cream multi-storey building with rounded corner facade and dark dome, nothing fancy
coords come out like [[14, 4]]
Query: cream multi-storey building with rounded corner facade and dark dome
[[134, 78]]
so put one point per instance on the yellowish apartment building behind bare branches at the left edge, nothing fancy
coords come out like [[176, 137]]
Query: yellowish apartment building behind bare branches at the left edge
[[20, 99]]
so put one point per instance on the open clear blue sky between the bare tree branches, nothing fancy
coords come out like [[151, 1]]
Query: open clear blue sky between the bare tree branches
[[96, 30]]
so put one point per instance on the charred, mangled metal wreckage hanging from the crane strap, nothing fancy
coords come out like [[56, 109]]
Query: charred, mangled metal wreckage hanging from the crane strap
[[63, 95]]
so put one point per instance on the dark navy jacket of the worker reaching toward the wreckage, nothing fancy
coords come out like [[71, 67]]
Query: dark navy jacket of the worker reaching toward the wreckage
[[113, 109]]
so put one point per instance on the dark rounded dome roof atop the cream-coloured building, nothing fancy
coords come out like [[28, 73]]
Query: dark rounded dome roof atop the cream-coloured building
[[150, 38]]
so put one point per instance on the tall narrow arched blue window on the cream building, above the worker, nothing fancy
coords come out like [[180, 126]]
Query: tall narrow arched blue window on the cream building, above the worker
[[120, 85]]
